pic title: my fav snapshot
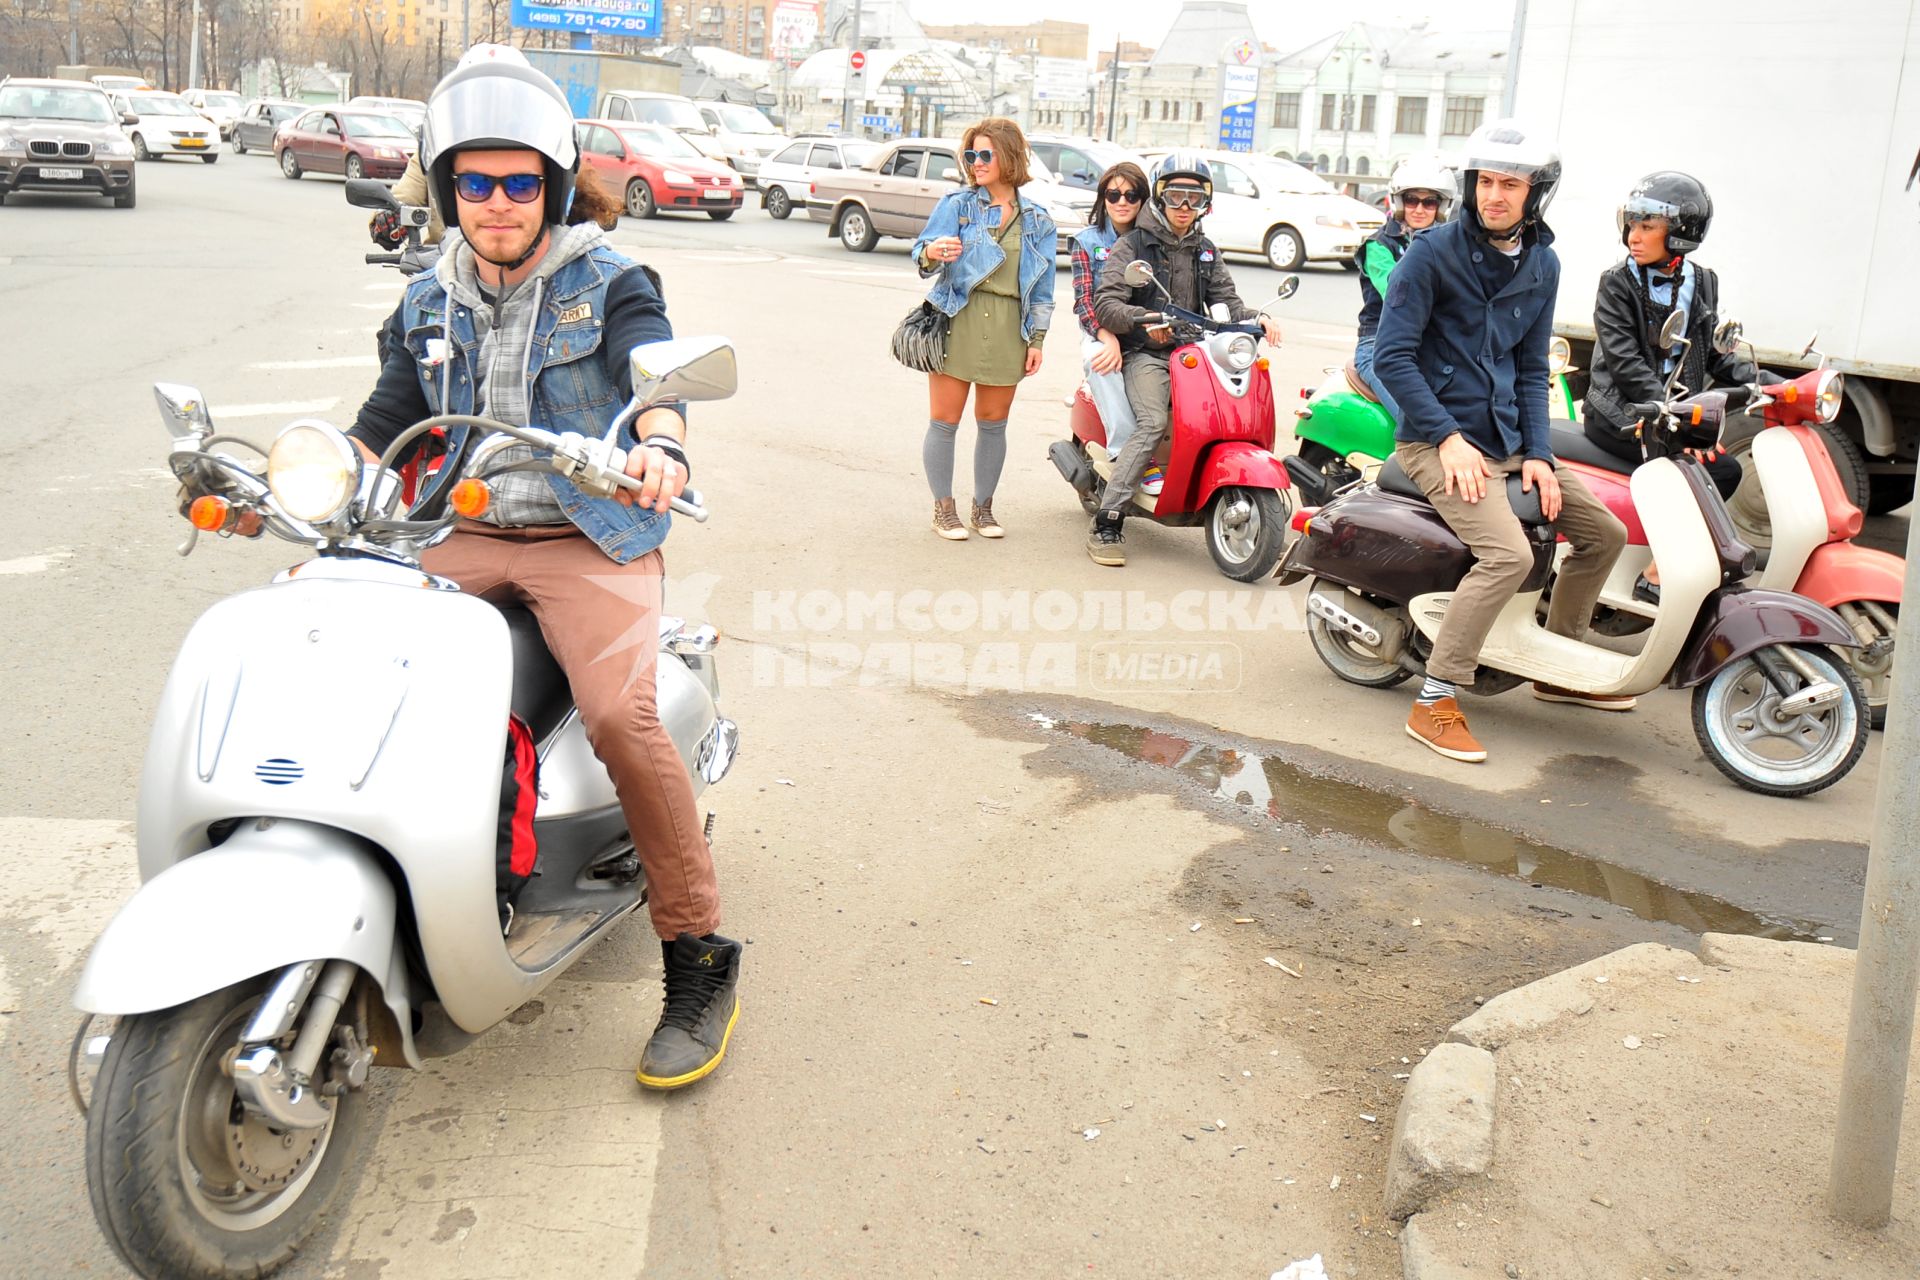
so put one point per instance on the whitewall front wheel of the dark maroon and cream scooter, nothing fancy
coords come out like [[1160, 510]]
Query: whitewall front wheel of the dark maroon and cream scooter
[[1744, 726]]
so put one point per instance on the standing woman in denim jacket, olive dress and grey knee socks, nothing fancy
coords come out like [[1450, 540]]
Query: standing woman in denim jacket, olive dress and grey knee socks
[[994, 252]]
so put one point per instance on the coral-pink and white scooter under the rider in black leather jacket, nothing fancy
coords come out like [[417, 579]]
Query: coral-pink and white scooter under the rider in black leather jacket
[[1813, 525]]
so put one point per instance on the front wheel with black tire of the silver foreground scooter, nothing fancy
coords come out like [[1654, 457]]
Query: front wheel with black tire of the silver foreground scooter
[[156, 1141]]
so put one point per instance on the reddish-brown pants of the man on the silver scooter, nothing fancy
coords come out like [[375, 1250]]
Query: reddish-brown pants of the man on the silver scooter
[[602, 623]]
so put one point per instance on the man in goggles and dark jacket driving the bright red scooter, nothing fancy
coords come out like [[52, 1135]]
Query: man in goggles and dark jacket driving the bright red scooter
[[1189, 268]]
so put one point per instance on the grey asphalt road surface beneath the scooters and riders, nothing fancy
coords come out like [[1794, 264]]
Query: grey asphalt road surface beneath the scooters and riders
[[928, 815]]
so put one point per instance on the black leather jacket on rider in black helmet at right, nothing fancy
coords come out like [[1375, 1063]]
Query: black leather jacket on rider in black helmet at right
[[1625, 367]]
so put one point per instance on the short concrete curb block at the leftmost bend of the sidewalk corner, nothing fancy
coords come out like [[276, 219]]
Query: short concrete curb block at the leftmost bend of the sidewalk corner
[[1445, 1131]]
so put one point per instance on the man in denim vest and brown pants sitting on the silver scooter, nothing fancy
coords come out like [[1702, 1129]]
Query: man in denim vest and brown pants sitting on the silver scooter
[[531, 321]]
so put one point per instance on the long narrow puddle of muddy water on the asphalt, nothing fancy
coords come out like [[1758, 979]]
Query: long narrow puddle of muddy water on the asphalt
[[1291, 795]]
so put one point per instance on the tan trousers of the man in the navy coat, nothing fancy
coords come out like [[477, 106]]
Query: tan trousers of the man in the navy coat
[[1504, 557]]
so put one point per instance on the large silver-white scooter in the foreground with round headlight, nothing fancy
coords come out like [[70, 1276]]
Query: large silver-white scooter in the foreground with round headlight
[[318, 834]]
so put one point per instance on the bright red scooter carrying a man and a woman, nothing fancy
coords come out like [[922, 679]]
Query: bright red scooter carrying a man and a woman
[[1220, 465]]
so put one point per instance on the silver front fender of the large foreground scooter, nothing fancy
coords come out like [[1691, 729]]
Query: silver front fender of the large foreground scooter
[[262, 901]]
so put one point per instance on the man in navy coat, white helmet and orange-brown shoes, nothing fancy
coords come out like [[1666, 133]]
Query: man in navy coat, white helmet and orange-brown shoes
[[1464, 350]]
